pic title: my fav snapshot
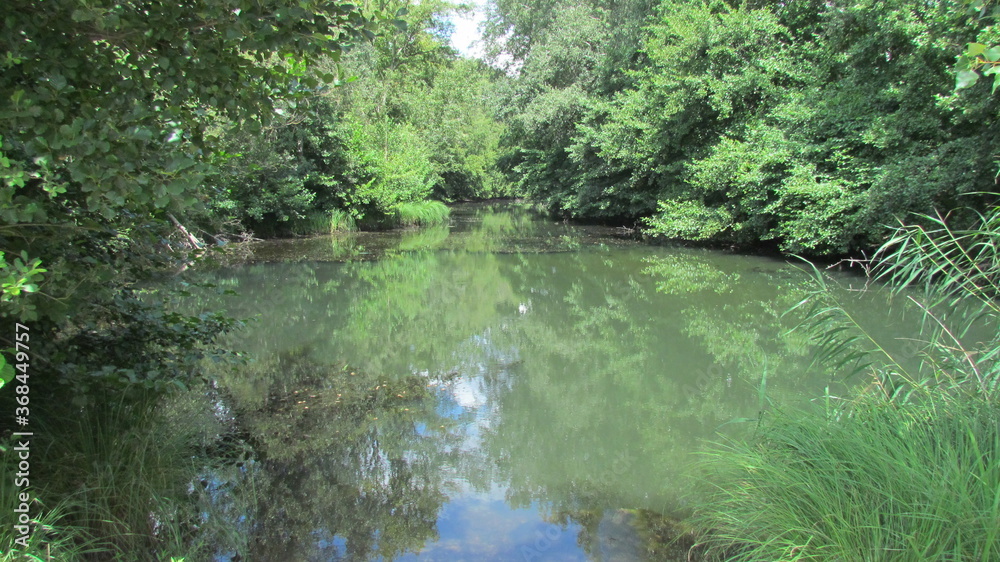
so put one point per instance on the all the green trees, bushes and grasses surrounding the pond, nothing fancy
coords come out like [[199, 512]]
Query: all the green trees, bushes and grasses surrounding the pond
[[130, 133]]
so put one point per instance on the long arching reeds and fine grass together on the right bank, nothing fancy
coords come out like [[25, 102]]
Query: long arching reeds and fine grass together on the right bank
[[907, 469]]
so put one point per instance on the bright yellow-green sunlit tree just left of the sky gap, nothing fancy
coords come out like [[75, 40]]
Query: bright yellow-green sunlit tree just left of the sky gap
[[418, 87]]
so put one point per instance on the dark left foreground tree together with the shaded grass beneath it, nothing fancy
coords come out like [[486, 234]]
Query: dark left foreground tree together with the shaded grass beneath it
[[110, 114]]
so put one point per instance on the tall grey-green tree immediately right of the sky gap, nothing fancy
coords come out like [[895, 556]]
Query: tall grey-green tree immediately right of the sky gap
[[568, 60]]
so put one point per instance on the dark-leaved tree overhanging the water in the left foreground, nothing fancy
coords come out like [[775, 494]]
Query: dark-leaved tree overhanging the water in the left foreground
[[107, 112]]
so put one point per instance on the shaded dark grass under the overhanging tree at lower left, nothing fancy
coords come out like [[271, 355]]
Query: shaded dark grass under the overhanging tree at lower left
[[114, 483]]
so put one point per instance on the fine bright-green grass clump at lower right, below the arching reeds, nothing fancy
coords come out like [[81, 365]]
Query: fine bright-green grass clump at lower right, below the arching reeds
[[888, 482]]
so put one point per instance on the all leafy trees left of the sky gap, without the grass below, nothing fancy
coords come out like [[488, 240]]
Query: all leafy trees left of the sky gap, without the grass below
[[121, 124]]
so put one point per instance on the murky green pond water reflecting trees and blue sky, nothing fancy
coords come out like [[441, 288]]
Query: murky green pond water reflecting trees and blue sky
[[504, 388]]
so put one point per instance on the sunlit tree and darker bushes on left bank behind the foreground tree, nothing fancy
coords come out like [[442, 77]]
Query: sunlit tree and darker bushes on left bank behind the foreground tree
[[412, 124]]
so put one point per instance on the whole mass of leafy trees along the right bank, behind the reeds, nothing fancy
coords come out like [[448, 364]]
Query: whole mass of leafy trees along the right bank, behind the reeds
[[810, 125]]
